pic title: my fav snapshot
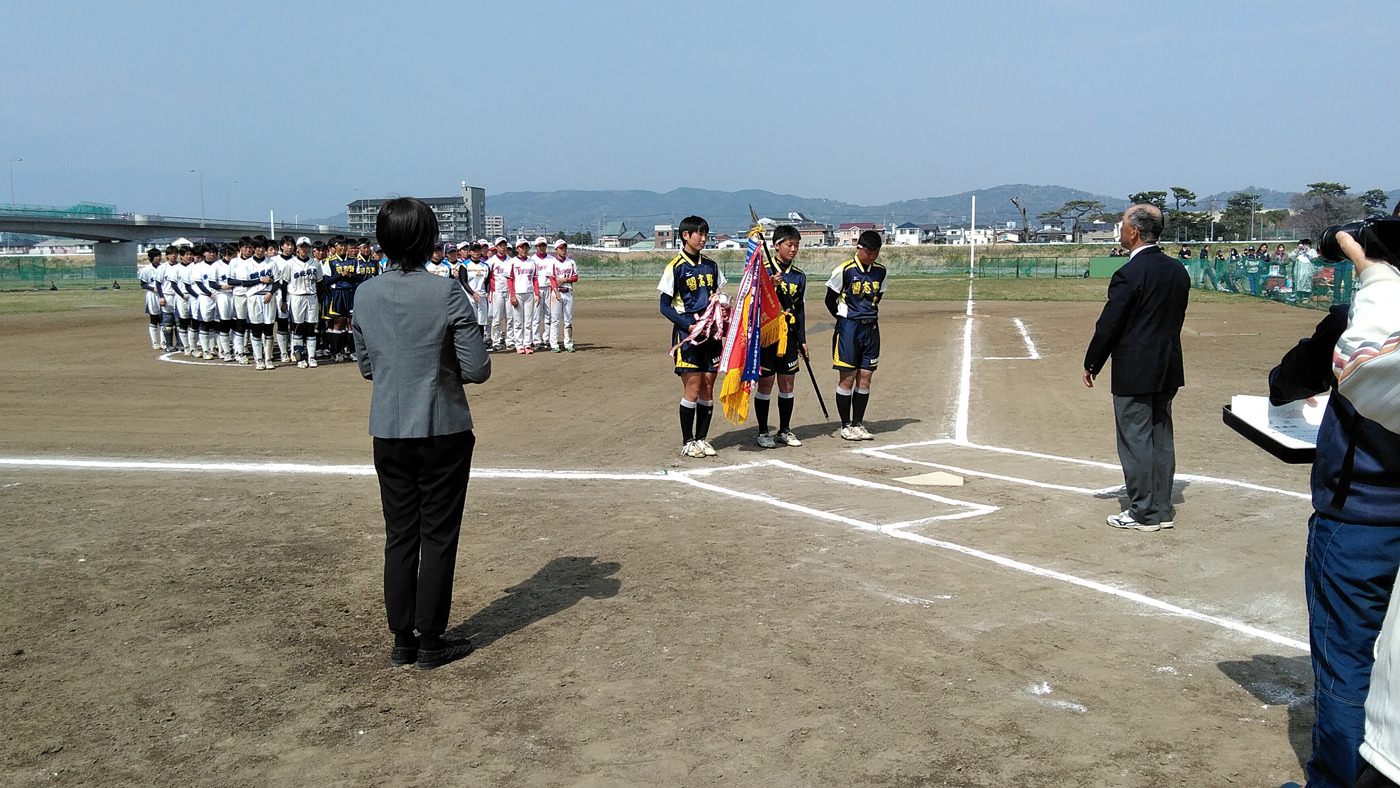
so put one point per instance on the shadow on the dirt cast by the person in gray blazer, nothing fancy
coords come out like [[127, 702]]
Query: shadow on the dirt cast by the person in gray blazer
[[556, 587]]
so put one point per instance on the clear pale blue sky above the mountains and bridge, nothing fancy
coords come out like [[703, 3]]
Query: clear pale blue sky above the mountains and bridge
[[310, 106]]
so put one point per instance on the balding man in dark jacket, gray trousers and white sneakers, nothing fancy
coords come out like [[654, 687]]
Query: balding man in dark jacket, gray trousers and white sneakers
[[1142, 330]]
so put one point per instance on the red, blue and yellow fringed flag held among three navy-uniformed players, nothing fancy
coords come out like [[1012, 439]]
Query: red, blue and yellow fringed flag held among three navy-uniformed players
[[755, 323]]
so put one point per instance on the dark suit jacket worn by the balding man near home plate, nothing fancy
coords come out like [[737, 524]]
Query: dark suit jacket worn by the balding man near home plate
[[1142, 325]]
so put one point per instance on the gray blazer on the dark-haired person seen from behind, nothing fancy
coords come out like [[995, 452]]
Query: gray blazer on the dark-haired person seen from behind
[[418, 339]]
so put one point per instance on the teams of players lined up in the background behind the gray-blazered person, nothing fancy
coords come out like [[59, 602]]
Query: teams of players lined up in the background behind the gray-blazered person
[[239, 300]]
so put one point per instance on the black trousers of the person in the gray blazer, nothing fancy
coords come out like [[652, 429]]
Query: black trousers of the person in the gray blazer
[[423, 489]]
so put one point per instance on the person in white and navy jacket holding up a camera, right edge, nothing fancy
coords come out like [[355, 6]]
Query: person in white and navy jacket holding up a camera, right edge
[[1354, 534]]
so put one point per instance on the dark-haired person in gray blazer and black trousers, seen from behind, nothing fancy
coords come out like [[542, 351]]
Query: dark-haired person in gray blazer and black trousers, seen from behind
[[416, 338]]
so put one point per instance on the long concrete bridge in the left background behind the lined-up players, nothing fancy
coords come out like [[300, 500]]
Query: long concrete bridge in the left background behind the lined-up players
[[120, 233]]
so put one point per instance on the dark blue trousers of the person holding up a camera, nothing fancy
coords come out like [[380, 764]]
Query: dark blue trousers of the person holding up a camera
[[1350, 572]]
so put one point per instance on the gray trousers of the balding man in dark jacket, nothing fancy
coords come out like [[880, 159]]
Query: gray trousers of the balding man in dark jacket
[[1147, 453]]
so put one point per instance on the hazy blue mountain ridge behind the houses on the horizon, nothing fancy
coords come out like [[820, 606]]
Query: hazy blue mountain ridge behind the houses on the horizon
[[729, 212]]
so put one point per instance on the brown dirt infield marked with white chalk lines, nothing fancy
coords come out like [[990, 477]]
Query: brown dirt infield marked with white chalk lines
[[643, 619]]
